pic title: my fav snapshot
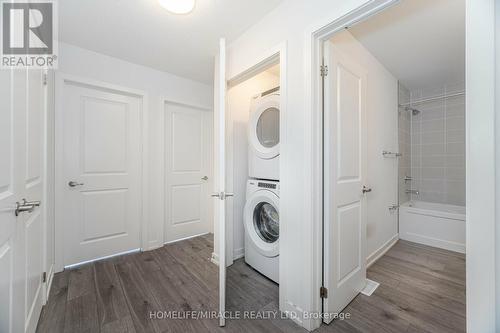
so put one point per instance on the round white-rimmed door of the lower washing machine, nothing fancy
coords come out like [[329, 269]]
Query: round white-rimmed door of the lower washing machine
[[262, 222]]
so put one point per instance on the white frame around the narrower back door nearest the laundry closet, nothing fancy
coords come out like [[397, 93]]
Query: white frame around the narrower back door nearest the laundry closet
[[164, 101]]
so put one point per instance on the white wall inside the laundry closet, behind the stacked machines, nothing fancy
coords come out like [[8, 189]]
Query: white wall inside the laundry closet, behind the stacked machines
[[239, 100]]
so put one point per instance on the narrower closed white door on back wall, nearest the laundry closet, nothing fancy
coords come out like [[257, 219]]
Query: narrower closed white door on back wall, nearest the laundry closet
[[188, 163]]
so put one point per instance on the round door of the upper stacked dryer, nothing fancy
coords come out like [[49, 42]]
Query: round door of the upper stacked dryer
[[264, 127]]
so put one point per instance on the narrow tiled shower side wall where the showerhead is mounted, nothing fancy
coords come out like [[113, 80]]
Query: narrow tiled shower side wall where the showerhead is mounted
[[404, 127]]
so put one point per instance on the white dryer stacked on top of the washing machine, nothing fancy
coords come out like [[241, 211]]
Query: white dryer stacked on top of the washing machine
[[264, 136]]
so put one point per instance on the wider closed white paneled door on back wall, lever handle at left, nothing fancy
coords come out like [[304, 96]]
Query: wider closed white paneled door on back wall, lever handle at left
[[100, 182]]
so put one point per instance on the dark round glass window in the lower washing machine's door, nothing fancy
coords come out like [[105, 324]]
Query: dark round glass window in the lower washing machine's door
[[266, 222]]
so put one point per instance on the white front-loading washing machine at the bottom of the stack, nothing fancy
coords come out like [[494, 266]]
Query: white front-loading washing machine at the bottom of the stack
[[261, 220]]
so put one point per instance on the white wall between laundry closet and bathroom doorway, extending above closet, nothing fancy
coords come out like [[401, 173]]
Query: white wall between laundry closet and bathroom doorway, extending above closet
[[289, 23]]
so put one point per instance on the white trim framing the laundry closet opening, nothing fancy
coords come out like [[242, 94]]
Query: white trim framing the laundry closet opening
[[254, 66]]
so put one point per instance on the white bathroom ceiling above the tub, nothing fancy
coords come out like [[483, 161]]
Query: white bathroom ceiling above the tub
[[421, 42]]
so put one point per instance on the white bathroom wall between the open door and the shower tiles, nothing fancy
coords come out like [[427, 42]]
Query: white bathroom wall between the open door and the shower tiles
[[382, 134]]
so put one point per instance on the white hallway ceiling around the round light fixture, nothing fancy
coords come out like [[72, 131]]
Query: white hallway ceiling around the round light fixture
[[142, 32]]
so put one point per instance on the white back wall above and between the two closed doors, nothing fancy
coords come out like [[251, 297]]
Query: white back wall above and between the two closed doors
[[156, 84]]
